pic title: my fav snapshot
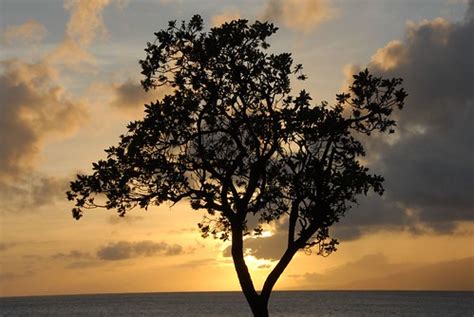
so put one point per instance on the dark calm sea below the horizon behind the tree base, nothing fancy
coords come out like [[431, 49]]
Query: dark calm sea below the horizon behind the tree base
[[311, 303]]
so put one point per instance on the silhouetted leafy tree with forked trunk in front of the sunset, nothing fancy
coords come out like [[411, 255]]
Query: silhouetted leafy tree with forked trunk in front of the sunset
[[231, 139]]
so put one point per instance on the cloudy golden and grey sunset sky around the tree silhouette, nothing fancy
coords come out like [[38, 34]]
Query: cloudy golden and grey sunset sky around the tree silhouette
[[70, 83]]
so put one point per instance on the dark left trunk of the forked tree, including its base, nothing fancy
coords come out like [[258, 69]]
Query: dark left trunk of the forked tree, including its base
[[257, 303]]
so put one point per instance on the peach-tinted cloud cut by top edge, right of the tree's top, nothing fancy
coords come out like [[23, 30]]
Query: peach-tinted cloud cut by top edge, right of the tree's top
[[300, 15]]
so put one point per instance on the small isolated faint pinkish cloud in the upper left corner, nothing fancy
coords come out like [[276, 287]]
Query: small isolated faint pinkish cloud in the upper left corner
[[30, 32]]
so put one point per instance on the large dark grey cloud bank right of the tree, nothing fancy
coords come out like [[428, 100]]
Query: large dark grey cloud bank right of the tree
[[428, 165]]
